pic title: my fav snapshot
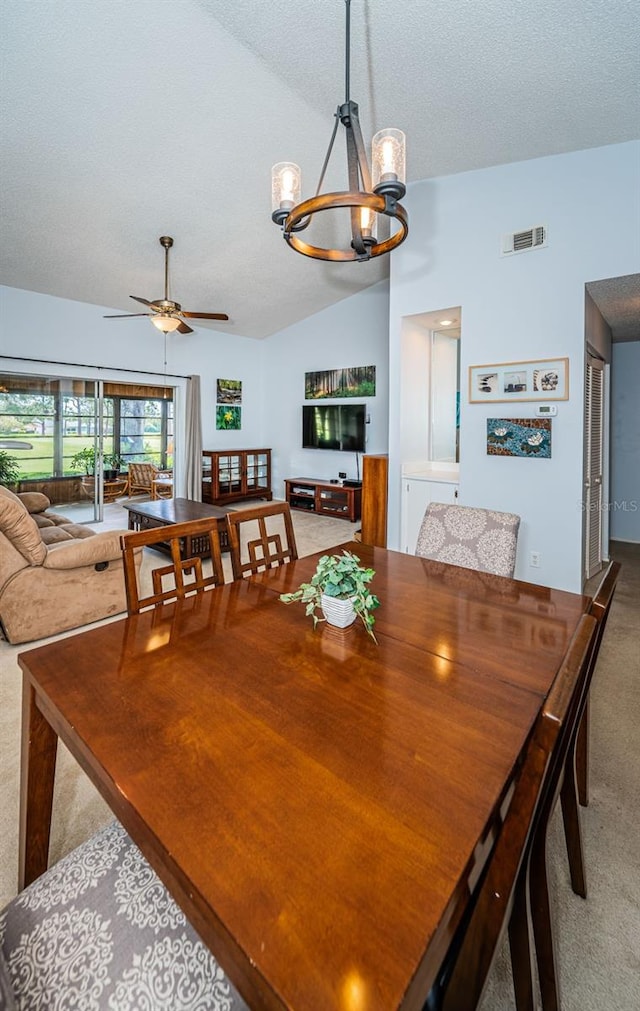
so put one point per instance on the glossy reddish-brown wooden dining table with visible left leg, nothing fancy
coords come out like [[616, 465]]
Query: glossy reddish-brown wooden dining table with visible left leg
[[320, 805]]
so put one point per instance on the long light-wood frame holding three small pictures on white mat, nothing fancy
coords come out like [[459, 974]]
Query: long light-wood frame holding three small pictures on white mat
[[541, 380]]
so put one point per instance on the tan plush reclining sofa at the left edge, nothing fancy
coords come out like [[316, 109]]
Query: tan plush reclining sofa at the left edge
[[54, 575]]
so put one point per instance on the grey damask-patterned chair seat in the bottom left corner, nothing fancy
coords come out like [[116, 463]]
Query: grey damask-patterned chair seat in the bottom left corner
[[100, 932]]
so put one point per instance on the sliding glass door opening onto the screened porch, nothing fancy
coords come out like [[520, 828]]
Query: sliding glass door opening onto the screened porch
[[73, 439]]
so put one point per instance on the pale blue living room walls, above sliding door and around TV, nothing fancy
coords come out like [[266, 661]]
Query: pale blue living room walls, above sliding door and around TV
[[355, 332]]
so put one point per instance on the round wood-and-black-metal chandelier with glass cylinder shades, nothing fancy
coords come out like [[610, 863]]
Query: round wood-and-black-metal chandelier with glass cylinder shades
[[365, 201]]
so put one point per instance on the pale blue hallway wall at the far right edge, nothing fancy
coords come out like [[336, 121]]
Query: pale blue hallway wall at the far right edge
[[625, 443]]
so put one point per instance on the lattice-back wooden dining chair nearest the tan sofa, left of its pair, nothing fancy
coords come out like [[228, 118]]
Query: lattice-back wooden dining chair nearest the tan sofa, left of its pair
[[186, 575]]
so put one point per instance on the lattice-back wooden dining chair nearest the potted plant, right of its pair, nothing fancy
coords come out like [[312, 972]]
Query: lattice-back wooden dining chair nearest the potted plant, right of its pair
[[275, 545]]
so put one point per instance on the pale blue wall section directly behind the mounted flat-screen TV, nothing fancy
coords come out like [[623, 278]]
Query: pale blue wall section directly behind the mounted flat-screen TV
[[355, 332]]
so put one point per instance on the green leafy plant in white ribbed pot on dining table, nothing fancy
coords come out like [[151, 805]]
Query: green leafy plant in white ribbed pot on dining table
[[340, 590]]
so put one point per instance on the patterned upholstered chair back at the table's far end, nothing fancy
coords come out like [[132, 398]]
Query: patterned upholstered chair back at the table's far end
[[473, 538]]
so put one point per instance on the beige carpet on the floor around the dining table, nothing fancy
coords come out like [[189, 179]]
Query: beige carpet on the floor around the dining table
[[598, 941]]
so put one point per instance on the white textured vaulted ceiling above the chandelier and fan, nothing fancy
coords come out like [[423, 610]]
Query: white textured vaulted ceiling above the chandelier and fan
[[123, 122]]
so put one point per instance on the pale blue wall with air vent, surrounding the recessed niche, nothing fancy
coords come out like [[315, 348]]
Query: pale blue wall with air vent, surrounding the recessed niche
[[514, 309]]
